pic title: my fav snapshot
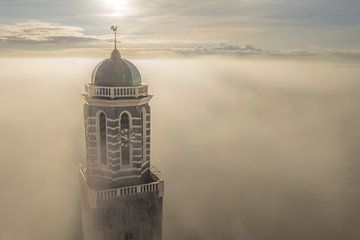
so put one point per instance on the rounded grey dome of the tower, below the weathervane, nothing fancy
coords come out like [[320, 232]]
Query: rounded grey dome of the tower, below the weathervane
[[116, 72]]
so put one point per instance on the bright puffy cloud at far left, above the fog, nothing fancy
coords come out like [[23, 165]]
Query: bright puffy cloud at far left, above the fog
[[43, 32]]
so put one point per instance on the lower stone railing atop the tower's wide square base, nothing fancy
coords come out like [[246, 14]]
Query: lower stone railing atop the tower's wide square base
[[133, 190]]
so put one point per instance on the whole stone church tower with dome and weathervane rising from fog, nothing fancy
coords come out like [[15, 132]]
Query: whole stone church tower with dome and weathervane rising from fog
[[121, 193]]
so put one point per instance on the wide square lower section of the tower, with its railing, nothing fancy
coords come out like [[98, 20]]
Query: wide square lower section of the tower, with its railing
[[129, 213]]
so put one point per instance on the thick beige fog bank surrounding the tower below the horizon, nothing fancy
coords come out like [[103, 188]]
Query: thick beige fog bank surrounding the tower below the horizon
[[249, 149]]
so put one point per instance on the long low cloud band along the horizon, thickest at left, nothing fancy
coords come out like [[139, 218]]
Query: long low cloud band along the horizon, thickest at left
[[39, 35]]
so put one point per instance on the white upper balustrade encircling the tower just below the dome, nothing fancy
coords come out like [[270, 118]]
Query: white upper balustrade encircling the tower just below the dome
[[116, 92]]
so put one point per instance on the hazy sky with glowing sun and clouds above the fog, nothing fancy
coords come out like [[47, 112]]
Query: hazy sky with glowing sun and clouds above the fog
[[188, 27]]
